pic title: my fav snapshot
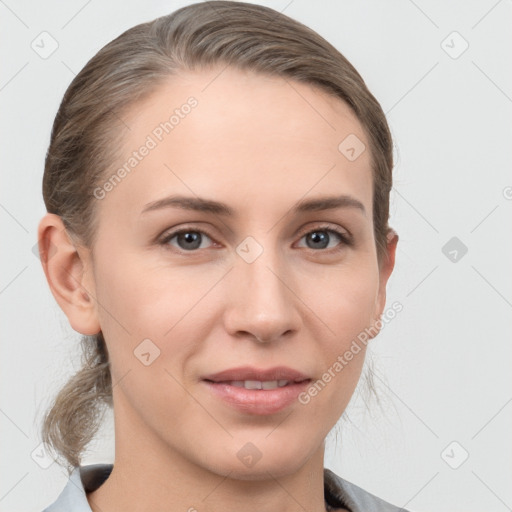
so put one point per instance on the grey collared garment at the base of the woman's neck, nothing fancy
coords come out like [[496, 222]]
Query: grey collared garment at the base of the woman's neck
[[339, 493]]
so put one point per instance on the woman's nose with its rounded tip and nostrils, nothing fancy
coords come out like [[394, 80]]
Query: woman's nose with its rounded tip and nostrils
[[262, 304]]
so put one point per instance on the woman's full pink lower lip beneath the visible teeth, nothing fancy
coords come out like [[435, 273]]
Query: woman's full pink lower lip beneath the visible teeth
[[257, 401]]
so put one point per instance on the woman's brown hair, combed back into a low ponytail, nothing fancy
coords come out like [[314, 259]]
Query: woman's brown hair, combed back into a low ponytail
[[88, 126]]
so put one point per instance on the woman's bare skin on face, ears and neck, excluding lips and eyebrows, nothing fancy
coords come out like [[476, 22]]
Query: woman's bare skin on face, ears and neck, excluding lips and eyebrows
[[259, 144]]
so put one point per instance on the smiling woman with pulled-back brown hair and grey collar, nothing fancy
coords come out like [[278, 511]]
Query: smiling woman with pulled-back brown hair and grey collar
[[195, 164]]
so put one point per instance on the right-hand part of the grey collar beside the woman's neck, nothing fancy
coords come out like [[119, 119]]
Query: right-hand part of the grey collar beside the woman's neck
[[341, 493]]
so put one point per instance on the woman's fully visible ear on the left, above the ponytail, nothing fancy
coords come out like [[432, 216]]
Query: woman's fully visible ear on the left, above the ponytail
[[68, 275]]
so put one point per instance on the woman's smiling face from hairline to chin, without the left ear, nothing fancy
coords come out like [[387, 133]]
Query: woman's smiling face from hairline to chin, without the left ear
[[268, 285]]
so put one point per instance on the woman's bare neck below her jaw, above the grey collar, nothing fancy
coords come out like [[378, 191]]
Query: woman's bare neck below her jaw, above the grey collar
[[149, 475]]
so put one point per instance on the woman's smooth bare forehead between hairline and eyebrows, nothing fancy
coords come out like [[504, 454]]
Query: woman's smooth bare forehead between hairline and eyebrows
[[212, 132]]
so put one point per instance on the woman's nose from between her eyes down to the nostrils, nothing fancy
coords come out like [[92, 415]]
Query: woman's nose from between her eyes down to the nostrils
[[262, 303]]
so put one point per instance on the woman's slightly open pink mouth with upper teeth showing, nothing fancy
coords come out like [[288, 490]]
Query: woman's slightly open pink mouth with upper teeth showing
[[258, 392]]
